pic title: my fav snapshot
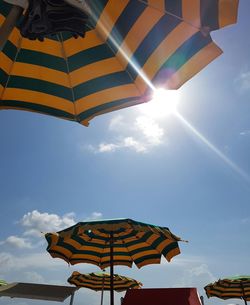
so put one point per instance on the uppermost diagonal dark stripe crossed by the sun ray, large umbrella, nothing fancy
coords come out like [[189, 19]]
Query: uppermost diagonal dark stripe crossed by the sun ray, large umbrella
[[125, 22]]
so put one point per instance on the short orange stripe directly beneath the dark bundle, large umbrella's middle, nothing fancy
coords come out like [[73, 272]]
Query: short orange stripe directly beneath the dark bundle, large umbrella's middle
[[74, 46]]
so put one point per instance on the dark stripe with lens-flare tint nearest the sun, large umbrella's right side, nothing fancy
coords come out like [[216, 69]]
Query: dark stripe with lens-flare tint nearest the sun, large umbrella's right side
[[187, 50]]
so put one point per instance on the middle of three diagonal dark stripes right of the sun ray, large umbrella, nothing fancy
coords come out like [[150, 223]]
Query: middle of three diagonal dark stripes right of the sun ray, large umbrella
[[160, 31]]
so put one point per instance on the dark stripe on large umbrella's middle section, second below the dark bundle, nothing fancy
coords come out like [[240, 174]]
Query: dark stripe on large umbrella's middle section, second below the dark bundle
[[89, 56]]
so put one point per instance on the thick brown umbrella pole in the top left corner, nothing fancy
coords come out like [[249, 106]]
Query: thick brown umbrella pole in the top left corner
[[9, 23]]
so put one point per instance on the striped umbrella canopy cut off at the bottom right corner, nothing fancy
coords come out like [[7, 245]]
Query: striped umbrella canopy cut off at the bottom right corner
[[229, 288]]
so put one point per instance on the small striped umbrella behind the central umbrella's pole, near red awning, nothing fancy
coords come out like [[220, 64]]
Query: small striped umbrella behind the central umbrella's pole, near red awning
[[101, 281]]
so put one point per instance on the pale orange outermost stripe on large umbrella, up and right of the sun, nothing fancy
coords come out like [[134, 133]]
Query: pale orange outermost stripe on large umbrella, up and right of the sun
[[194, 65]]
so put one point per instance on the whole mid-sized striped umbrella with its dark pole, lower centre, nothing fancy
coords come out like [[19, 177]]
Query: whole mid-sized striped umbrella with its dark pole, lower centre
[[106, 243]]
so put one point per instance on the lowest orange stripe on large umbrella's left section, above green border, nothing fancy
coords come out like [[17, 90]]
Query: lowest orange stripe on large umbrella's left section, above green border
[[38, 98]]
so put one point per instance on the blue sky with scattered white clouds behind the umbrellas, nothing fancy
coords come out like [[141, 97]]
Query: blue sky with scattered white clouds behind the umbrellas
[[190, 172]]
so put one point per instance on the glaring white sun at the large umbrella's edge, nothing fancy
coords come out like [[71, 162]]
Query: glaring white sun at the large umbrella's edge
[[163, 103]]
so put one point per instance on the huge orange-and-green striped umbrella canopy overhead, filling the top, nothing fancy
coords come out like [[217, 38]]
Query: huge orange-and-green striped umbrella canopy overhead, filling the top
[[131, 47]]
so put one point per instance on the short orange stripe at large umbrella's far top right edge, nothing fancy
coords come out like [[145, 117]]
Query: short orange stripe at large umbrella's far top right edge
[[228, 12]]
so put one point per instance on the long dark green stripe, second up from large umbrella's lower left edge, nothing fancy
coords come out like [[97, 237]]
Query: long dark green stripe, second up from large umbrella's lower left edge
[[40, 86]]
